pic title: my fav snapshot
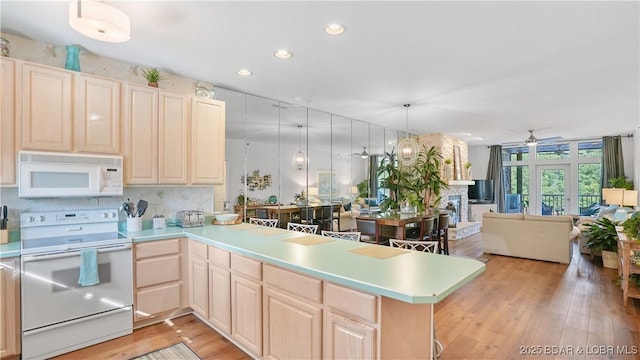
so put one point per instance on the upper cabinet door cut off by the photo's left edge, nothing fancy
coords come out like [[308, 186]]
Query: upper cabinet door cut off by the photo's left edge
[[8, 118]]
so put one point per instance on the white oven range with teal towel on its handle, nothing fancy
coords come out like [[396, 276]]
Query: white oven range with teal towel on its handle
[[58, 314]]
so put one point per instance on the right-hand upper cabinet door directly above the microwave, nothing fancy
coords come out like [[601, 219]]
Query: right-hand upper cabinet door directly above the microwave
[[97, 117]]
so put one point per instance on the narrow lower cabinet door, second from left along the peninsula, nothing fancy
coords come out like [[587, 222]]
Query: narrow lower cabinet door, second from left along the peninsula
[[220, 298]]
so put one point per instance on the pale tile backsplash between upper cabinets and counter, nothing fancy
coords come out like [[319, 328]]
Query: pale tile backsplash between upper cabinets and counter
[[163, 200]]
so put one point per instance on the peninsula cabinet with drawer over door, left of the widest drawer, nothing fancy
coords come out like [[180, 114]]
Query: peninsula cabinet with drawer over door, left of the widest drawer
[[246, 303]]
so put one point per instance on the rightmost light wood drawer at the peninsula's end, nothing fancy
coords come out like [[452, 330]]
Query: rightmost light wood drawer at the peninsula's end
[[351, 302]]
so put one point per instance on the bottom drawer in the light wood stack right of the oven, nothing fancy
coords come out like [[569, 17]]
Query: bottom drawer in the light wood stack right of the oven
[[158, 299]]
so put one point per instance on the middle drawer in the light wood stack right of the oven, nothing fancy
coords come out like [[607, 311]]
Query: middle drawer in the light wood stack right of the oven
[[157, 270]]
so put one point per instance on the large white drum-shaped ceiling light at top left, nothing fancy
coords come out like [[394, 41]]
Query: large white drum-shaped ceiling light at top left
[[99, 21]]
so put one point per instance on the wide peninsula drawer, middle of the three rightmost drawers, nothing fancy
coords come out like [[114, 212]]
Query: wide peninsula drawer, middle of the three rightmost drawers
[[297, 284]]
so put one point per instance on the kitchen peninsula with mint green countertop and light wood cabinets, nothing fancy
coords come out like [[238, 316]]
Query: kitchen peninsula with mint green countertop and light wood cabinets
[[278, 293]]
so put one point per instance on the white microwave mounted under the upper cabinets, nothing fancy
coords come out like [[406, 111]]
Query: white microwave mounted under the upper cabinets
[[49, 174]]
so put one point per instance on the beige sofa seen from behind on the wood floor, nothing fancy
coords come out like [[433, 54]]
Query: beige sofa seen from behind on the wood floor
[[547, 238]]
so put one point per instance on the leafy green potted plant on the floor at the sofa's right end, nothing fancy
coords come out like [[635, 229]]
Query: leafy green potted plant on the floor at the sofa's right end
[[603, 237]]
